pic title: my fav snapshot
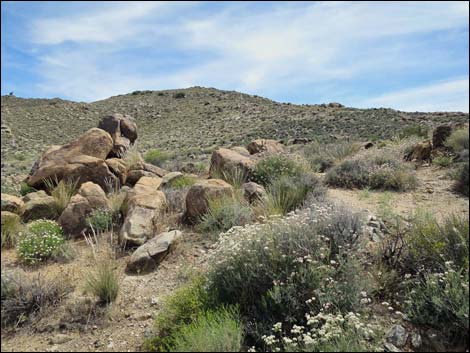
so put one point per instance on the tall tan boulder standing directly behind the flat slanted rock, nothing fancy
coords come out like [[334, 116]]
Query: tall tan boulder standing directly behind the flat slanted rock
[[145, 204]]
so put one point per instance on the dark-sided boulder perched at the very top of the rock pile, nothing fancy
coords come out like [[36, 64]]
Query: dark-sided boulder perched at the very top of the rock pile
[[123, 131]]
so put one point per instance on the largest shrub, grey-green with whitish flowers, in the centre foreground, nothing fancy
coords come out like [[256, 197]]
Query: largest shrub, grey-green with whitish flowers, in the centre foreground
[[272, 271]]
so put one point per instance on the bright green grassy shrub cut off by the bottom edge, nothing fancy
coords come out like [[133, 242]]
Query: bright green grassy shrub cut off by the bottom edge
[[212, 331]]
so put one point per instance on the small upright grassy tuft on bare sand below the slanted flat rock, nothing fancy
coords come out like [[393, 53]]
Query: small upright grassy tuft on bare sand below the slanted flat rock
[[103, 282]]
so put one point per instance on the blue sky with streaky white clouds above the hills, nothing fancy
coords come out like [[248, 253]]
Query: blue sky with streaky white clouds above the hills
[[409, 56]]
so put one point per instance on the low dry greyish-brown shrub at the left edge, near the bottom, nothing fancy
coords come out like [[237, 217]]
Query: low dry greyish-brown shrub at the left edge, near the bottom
[[23, 297]]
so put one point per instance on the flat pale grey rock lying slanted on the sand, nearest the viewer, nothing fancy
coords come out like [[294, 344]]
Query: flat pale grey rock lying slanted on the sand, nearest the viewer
[[147, 257]]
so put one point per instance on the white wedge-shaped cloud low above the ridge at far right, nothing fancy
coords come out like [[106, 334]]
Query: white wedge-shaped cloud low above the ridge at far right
[[441, 96]]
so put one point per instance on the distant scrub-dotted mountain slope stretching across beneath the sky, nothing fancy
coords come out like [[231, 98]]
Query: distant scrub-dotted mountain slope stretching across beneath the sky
[[199, 117]]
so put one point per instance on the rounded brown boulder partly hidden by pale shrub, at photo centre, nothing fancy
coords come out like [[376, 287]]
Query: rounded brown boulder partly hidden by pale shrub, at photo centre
[[199, 194]]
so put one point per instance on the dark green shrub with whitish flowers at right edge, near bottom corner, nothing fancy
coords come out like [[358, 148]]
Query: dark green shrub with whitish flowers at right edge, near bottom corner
[[440, 300]]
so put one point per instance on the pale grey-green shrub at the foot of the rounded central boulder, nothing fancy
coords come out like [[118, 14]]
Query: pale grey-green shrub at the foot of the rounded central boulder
[[224, 213]]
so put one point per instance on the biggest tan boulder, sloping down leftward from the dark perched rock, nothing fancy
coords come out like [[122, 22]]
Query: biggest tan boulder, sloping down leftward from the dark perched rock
[[82, 160]]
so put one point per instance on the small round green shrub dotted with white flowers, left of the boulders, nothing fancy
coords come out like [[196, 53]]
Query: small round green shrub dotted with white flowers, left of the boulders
[[42, 240]]
